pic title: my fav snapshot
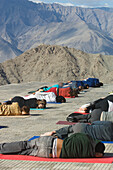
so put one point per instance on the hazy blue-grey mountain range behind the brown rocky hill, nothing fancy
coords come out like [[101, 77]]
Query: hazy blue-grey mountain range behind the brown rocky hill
[[25, 25]]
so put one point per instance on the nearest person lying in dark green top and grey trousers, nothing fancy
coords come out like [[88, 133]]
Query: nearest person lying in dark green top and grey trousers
[[78, 145]]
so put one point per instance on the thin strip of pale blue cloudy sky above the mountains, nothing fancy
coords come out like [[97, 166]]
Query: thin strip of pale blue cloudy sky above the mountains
[[82, 3]]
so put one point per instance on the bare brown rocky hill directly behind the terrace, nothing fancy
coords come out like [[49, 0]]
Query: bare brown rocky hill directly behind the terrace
[[50, 63]]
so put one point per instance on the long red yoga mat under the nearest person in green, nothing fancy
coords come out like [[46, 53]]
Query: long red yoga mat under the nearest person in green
[[81, 160]]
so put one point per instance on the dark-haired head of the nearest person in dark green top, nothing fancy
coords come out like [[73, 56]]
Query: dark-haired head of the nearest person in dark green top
[[99, 149]]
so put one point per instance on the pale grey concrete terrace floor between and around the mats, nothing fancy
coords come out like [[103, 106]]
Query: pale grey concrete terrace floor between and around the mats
[[41, 121]]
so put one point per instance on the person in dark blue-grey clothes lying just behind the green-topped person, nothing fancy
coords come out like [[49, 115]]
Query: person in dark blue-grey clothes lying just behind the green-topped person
[[101, 130]]
